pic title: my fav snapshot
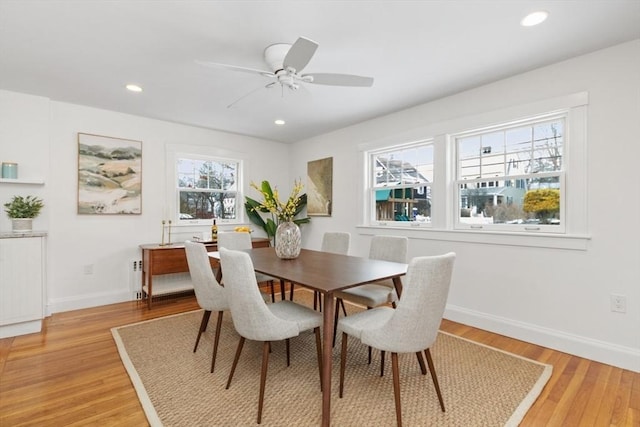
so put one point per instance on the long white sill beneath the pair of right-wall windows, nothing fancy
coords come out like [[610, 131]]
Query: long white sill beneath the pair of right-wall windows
[[535, 240]]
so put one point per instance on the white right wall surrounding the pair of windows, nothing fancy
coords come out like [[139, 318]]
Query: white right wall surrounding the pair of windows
[[555, 297]]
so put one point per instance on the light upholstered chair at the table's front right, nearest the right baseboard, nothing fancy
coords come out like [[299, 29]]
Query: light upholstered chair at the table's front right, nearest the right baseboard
[[412, 327]]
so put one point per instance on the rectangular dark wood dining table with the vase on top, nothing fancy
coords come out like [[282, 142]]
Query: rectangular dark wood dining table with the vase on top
[[325, 273]]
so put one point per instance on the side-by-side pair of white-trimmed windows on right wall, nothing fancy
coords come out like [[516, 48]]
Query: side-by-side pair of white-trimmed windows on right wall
[[515, 176]]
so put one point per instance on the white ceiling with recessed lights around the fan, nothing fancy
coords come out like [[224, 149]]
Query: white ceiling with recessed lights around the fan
[[85, 51]]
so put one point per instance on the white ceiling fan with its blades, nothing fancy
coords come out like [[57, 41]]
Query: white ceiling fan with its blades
[[287, 62]]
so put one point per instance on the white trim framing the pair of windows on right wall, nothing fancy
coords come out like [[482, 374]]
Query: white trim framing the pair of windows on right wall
[[576, 235]]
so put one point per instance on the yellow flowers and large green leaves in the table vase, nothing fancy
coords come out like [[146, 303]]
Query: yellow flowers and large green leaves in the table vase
[[280, 212]]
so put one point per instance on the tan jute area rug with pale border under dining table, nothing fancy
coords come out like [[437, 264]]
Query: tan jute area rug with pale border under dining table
[[481, 386]]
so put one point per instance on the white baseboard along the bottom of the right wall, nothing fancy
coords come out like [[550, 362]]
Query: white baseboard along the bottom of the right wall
[[588, 348]]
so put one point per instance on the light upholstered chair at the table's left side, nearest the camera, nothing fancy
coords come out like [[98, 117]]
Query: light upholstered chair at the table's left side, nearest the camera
[[256, 320]]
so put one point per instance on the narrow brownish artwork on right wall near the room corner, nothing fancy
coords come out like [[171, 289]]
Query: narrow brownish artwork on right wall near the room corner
[[320, 187]]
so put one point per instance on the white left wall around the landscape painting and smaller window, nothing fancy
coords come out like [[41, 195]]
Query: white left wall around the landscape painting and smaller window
[[34, 127]]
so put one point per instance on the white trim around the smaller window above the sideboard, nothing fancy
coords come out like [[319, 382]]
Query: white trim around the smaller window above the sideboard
[[177, 151]]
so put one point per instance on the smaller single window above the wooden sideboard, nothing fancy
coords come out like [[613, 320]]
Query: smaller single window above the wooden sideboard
[[207, 188]]
